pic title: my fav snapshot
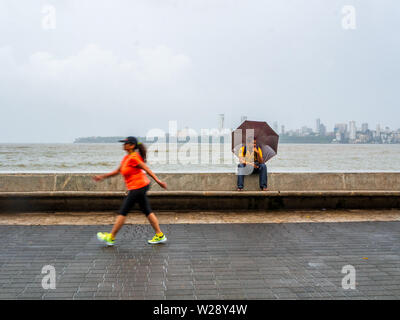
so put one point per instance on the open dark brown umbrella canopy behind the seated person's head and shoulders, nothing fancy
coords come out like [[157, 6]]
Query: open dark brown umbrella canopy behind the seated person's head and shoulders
[[266, 138]]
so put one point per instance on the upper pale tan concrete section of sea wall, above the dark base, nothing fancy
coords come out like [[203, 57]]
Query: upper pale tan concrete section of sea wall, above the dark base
[[205, 182]]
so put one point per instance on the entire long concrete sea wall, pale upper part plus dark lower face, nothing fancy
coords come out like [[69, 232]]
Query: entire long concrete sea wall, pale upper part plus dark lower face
[[202, 191]]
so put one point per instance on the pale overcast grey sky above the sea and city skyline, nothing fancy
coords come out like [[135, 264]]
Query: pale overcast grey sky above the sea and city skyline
[[118, 68]]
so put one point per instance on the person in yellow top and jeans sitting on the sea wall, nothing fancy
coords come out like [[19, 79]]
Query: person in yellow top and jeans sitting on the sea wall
[[251, 155]]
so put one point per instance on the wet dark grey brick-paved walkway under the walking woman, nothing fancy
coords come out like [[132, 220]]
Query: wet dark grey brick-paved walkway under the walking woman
[[203, 261]]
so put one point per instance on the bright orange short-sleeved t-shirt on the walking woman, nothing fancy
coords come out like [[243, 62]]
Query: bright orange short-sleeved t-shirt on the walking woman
[[135, 178]]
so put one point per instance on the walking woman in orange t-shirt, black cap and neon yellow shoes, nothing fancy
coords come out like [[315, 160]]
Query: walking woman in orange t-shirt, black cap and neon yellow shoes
[[137, 183]]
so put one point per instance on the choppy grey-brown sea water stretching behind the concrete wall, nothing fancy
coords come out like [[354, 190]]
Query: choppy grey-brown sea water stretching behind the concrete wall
[[104, 157]]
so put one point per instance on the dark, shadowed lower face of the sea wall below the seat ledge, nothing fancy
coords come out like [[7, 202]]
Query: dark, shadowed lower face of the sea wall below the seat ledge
[[200, 200]]
